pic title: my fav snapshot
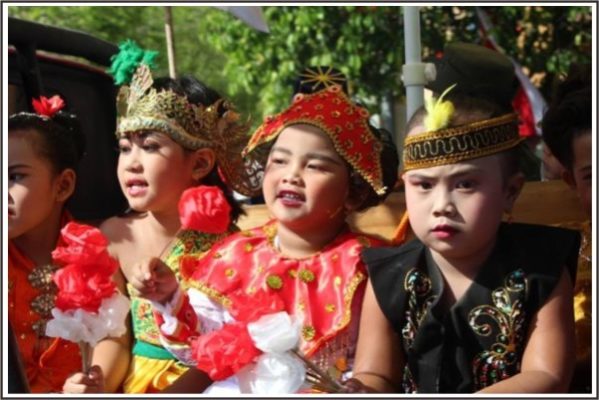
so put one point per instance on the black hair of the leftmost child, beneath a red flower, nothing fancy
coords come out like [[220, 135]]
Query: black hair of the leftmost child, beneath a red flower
[[58, 139]]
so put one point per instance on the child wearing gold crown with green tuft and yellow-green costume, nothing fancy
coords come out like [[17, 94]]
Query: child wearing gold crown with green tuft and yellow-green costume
[[173, 134]]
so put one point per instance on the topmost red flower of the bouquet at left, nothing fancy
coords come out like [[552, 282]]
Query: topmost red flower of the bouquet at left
[[83, 244]]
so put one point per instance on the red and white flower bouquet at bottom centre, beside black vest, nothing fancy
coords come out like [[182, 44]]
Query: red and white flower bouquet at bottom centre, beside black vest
[[260, 348]]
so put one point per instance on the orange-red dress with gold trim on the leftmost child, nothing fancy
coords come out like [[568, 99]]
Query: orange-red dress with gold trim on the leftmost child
[[31, 293]]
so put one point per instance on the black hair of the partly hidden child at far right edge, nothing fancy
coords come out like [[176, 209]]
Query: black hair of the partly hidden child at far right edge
[[569, 114]]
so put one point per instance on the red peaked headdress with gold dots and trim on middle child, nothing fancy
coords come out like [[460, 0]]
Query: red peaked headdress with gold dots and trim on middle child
[[344, 122]]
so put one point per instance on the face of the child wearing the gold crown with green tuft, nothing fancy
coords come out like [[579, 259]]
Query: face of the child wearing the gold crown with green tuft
[[153, 171]]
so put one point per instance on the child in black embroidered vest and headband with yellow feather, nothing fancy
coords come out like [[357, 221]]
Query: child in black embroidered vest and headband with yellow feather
[[474, 303]]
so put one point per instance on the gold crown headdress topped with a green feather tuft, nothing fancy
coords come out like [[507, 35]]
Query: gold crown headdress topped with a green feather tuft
[[140, 107]]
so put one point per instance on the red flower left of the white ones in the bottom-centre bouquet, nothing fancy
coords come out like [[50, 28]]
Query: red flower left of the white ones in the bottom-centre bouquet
[[224, 352]]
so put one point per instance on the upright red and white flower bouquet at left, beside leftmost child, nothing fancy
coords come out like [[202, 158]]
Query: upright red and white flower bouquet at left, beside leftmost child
[[88, 306]]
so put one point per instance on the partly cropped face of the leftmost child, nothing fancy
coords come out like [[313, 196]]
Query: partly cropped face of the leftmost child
[[32, 186]]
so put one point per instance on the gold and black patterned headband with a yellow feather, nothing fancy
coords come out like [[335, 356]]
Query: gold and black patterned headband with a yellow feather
[[441, 145]]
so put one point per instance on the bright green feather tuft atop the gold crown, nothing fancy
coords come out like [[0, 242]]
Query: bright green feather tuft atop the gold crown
[[126, 61]]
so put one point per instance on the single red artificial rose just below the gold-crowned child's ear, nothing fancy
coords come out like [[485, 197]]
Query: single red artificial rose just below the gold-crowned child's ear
[[205, 209]]
